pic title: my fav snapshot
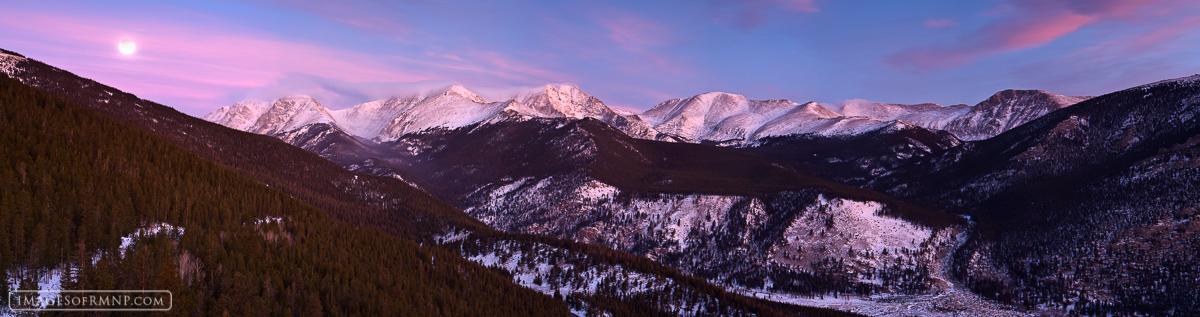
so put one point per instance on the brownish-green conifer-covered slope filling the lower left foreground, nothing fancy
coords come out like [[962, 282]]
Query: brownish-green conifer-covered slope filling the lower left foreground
[[74, 183]]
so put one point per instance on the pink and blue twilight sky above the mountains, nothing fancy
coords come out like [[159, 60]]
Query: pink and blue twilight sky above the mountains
[[201, 56]]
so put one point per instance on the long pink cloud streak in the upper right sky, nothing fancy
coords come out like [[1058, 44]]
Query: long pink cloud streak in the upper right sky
[[1024, 25]]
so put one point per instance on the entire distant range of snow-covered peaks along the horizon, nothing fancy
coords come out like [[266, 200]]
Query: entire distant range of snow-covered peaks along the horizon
[[717, 118]]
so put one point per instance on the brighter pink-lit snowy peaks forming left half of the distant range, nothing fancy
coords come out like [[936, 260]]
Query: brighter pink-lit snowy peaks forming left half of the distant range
[[448, 109]]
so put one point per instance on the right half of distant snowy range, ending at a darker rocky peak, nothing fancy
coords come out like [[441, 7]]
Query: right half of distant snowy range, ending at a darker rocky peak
[[735, 121]]
